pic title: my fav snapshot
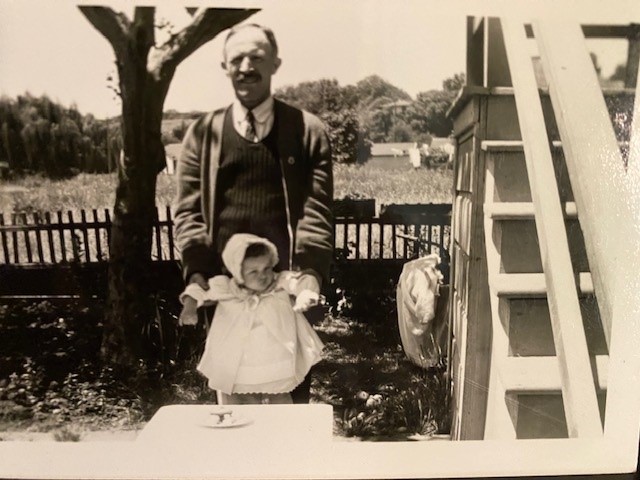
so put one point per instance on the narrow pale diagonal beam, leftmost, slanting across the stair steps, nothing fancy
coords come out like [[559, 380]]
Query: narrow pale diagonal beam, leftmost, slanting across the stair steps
[[578, 387]]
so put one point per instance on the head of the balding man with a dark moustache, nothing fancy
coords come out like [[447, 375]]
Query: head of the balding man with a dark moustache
[[250, 59]]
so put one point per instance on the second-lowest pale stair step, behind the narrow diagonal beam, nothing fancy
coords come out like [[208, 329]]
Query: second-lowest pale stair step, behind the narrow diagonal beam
[[532, 284]]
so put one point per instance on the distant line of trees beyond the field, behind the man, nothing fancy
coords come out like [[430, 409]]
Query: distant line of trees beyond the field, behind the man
[[38, 135]]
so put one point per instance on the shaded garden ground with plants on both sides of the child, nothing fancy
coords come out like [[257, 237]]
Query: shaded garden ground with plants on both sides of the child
[[52, 385]]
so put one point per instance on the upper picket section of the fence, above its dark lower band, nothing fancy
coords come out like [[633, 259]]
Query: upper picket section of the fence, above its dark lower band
[[81, 236]]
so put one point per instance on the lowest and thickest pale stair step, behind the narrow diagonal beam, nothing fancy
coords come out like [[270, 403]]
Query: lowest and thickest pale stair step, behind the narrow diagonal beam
[[542, 374]]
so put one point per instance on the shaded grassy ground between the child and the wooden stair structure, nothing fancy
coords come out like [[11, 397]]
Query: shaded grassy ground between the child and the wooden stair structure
[[377, 394]]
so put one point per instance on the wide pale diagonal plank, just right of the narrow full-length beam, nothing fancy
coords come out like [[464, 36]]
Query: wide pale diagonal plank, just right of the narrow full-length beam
[[593, 159]]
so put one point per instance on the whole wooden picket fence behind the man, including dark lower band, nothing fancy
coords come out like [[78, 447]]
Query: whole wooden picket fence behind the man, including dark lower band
[[50, 253]]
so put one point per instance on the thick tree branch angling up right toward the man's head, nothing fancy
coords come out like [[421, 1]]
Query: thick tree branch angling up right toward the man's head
[[206, 24]]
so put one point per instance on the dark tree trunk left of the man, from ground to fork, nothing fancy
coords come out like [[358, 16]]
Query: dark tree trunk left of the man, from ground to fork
[[131, 308]]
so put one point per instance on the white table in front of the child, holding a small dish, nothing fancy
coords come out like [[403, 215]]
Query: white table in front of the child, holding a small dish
[[190, 425]]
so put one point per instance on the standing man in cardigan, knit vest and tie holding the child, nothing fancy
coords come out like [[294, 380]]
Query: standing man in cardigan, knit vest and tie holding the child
[[258, 166]]
